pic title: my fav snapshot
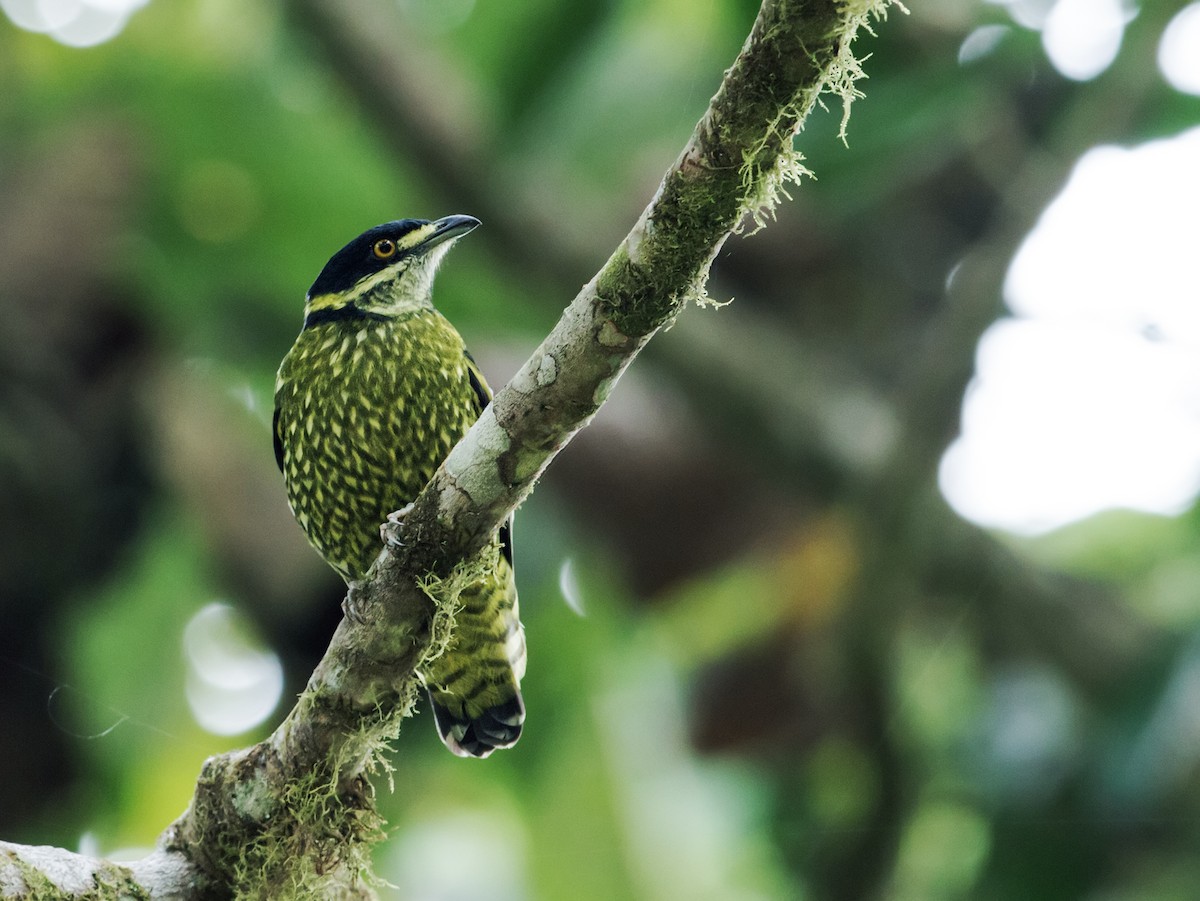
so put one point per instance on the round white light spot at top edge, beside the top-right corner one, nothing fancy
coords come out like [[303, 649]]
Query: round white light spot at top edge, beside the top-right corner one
[[1082, 38]]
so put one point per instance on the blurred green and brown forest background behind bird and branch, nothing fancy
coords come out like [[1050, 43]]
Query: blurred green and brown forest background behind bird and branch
[[883, 581]]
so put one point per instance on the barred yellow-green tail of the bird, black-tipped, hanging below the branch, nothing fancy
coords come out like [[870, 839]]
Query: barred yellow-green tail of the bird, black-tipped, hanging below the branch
[[476, 686]]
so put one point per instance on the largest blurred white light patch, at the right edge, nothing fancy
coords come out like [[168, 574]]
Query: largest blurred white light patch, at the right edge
[[1091, 401]]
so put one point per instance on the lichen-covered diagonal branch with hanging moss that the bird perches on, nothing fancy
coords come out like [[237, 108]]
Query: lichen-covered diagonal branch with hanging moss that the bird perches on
[[295, 815]]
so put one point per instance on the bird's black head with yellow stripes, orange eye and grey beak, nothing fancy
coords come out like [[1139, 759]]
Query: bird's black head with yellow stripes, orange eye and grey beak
[[387, 271]]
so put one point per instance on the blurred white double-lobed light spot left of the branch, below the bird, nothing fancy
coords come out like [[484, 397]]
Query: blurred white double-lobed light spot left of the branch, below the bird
[[233, 684]]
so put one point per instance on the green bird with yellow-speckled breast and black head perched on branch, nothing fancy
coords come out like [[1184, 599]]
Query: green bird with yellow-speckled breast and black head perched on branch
[[369, 401]]
